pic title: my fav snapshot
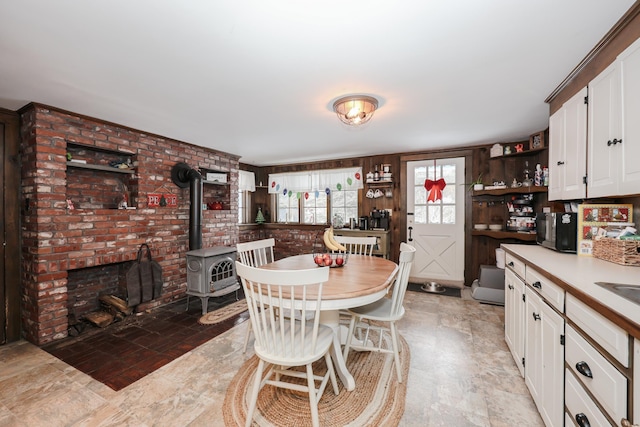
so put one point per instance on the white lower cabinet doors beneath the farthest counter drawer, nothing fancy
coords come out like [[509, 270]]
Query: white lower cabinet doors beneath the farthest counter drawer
[[544, 358]]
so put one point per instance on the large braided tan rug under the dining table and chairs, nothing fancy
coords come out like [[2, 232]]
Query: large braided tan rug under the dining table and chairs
[[378, 399]]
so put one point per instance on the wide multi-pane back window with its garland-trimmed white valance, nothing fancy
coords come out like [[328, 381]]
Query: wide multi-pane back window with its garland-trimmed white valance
[[315, 197]]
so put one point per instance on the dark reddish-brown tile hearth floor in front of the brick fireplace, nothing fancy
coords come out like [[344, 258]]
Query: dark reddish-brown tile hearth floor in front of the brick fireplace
[[126, 351]]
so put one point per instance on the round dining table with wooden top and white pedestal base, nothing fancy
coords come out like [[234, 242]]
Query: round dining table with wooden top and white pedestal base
[[363, 280]]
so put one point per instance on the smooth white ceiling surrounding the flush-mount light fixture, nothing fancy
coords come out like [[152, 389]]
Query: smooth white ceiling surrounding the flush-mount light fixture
[[258, 78]]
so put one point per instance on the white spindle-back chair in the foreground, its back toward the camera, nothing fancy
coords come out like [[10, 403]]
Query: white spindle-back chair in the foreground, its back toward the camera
[[286, 342]]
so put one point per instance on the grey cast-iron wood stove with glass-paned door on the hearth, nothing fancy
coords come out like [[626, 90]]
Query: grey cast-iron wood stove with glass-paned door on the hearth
[[211, 272]]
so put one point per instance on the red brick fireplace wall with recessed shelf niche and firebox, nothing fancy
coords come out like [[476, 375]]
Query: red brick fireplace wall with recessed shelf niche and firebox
[[72, 227]]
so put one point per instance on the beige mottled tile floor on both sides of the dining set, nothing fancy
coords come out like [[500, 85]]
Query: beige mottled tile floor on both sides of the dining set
[[461, 374]]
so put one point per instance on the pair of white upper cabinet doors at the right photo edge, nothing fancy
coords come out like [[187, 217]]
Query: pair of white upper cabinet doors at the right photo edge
[[614, 128]]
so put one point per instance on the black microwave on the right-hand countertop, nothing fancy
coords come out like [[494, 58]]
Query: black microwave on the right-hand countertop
[[558, 231]]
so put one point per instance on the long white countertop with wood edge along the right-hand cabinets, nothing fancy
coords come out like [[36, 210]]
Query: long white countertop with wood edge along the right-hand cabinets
[[579, 273]]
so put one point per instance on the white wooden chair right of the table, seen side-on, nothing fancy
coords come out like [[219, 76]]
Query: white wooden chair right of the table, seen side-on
[[386, 310]]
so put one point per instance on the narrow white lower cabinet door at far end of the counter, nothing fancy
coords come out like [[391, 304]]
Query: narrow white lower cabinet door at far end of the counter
[[514, 317]]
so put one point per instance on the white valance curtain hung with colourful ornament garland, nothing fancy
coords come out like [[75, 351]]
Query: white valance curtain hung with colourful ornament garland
[[320, 180]]
